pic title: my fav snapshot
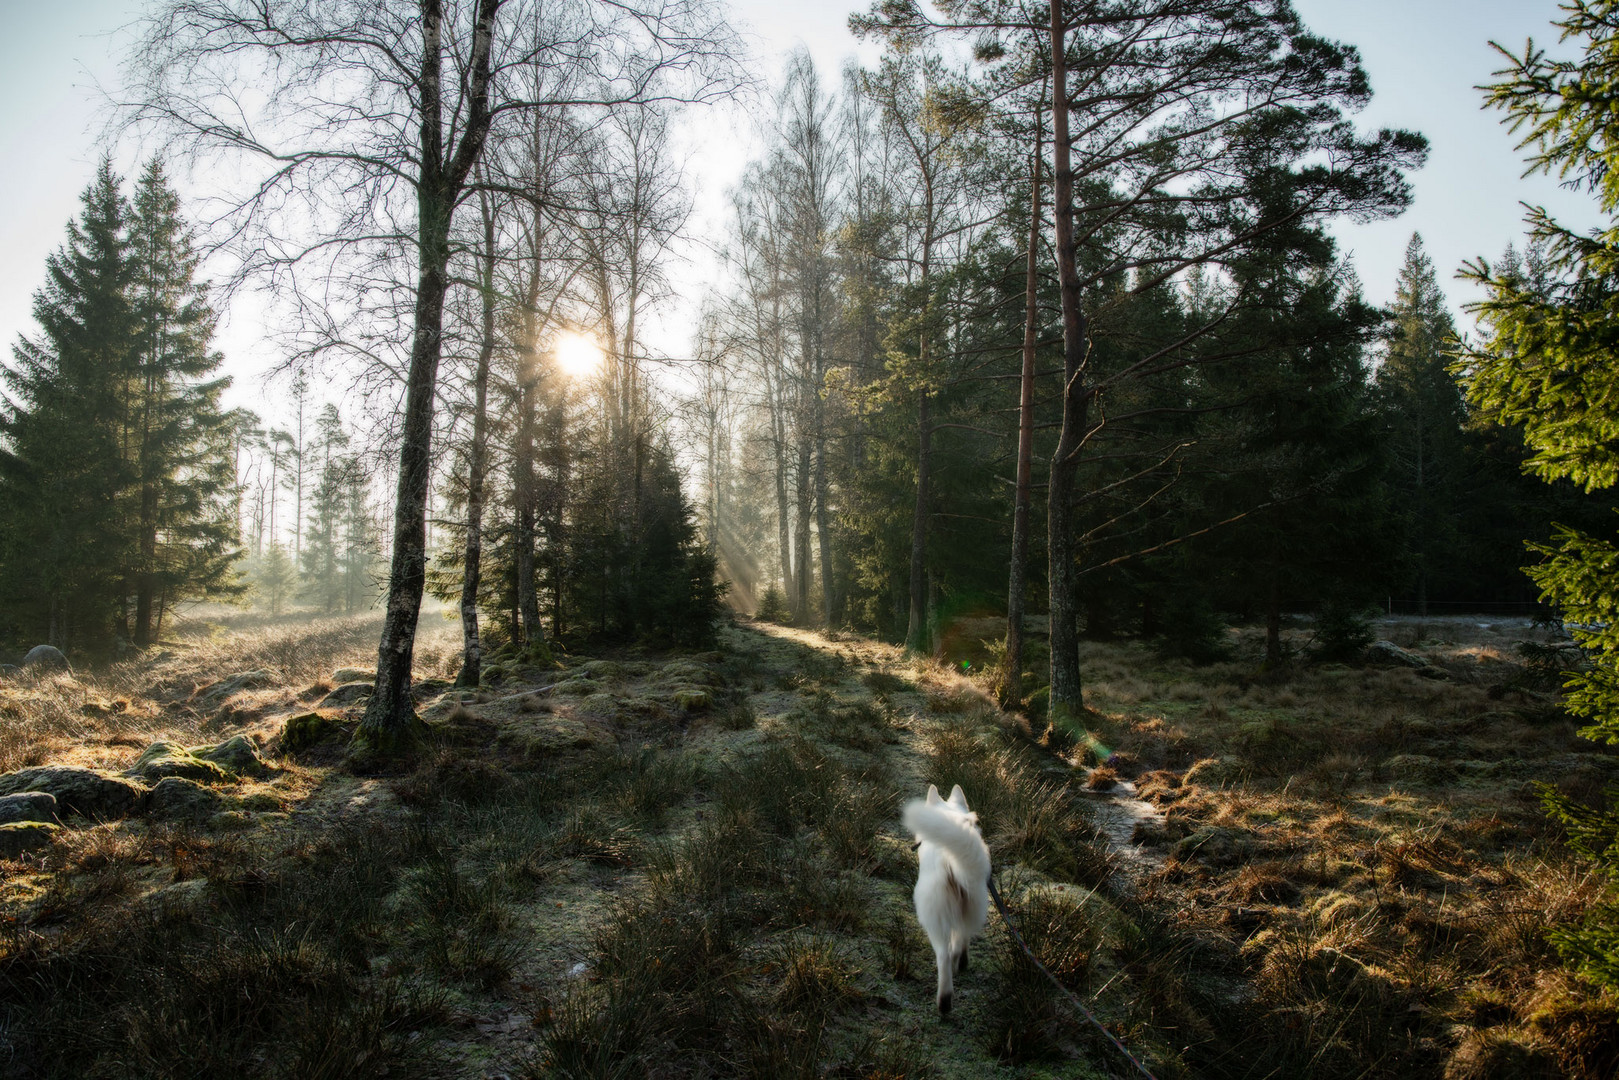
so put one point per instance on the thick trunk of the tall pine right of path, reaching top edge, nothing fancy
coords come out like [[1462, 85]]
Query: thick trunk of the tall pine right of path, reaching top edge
[[1066, 689]]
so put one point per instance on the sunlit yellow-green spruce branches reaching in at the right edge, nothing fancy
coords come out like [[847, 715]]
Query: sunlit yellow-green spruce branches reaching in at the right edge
[[1547, 365]]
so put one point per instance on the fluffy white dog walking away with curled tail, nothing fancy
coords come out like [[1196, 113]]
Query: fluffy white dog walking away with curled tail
[[953, 883]]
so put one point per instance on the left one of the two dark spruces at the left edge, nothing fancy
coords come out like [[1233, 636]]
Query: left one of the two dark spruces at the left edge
[[64, 470]]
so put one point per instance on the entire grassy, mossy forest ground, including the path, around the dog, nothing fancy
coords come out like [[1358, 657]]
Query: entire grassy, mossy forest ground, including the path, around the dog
[[692, 865]]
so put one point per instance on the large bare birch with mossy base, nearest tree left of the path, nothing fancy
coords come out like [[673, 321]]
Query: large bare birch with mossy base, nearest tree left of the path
[[360, 124]]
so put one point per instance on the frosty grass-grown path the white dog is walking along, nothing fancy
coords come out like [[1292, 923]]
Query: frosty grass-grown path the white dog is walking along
[[794, 784]]
